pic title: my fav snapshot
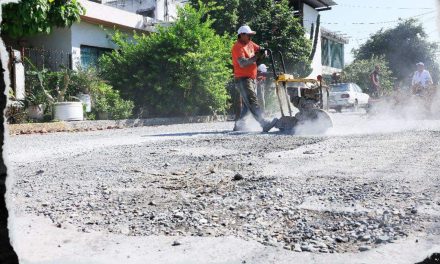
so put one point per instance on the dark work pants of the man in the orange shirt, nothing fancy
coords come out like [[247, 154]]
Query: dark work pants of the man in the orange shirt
[[246, 88]]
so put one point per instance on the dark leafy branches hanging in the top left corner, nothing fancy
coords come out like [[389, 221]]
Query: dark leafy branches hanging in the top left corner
[[29, 17]]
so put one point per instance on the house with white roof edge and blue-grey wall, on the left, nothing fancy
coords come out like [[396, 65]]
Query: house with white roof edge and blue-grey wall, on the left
[[85, 41]]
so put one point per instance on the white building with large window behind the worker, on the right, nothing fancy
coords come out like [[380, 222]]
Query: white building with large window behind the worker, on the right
[[329, 56]]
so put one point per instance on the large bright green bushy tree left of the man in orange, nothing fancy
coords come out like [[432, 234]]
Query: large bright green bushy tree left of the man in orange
[[180, 70]]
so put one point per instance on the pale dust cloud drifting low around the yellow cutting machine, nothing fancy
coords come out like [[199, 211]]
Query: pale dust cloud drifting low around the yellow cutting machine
[[401, 112]]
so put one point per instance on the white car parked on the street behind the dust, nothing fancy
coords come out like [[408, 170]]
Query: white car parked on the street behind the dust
[[347, 95]]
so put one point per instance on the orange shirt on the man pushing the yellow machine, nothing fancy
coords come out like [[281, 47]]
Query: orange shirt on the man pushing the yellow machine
[[240, 50]]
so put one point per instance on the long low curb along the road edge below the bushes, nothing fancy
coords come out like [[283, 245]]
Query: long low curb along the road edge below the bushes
[[82, 126]]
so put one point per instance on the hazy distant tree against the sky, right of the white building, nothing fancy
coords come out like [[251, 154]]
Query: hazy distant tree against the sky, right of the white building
[[402, 46]]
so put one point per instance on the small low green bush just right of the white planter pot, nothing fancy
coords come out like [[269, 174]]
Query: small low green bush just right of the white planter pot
[[108, 100]]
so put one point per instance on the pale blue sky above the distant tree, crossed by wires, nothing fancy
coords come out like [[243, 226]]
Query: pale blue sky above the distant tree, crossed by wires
[[377, 14]]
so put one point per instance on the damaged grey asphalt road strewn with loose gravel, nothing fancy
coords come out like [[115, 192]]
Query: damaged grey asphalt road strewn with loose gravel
[[322, 194]]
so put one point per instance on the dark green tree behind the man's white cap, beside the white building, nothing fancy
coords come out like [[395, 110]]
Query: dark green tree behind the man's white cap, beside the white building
[[277, 27]]
